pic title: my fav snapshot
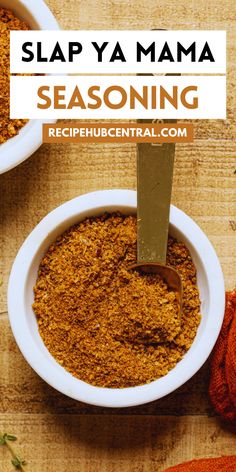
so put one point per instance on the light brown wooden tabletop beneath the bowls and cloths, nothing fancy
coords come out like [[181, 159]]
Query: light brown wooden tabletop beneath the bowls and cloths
[[57, 434]]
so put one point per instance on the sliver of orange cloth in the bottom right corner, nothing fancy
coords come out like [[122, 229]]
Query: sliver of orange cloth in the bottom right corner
[[220, 464]]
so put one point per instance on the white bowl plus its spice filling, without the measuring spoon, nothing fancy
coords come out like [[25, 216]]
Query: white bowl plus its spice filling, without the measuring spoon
[[81, 318]]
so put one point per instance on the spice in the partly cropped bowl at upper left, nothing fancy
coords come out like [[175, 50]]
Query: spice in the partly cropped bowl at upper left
[[8, 22]]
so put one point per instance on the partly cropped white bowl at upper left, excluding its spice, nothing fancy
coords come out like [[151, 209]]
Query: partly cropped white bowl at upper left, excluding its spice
[[17, 149]]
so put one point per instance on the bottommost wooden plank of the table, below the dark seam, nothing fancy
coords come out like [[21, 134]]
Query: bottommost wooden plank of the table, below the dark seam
[[55, 443]]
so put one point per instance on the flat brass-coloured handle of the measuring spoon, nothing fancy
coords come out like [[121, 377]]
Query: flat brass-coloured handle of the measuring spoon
[[155, 163]]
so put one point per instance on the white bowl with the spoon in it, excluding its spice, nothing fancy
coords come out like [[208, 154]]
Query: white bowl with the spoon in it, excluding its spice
[[24, 325]]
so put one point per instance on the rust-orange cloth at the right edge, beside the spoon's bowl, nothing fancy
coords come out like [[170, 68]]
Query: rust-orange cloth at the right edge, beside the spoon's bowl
[[222, 389]]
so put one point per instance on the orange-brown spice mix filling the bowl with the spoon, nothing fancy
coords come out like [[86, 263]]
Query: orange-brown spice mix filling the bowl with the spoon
[[106, 325]]
